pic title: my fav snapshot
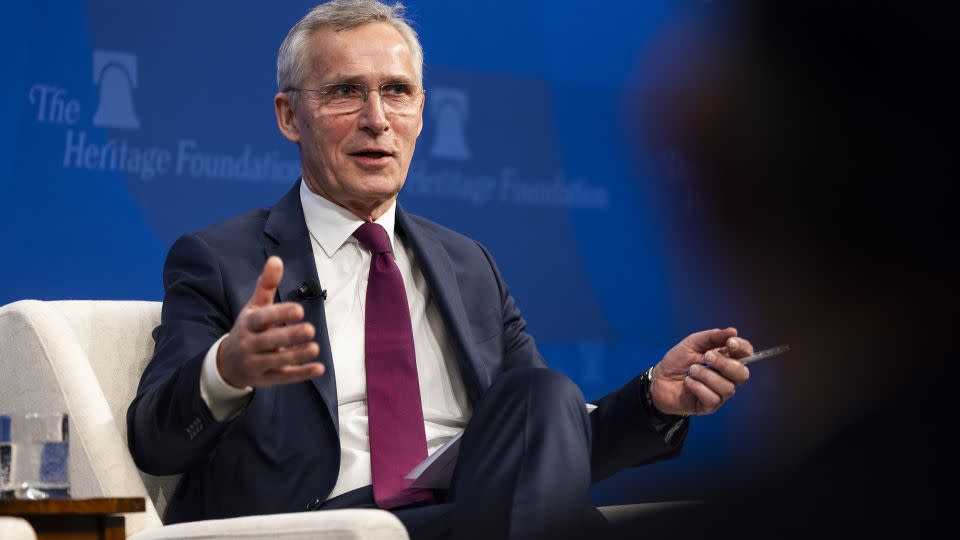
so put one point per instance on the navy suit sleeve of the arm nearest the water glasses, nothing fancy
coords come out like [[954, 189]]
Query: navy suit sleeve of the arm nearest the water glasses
[[169, 427]]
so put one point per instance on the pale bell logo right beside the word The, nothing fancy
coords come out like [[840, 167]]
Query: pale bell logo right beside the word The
[[116, 75]]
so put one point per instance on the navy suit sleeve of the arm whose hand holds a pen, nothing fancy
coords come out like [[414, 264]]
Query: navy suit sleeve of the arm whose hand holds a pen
[[623, 433]]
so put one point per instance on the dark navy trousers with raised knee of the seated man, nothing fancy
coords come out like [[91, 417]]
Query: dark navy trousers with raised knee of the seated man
[[523, 471]]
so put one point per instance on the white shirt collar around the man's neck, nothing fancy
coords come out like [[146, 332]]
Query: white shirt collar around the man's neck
[[332, 225]]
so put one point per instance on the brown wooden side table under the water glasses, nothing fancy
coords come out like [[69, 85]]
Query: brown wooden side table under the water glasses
[[69, 519]]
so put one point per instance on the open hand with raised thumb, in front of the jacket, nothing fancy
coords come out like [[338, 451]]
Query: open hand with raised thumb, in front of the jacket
[[267, 345]]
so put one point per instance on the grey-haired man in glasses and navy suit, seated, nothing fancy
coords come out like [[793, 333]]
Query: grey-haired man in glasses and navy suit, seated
[[273, 393]]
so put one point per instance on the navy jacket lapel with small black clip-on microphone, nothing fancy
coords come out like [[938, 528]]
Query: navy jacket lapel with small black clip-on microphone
[[286, 236]]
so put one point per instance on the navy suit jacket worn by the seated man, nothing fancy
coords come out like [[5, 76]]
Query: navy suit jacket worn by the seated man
[[282, 451]]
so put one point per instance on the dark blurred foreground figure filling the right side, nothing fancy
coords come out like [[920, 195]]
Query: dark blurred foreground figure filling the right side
[[820, 160]]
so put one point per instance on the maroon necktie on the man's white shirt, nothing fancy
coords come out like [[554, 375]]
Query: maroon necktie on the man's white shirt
[[397, 439]]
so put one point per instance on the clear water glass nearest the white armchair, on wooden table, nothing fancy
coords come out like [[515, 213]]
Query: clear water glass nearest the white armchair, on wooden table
[[40, 448]]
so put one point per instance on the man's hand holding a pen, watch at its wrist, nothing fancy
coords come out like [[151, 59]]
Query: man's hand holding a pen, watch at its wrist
[[700, 373]]
